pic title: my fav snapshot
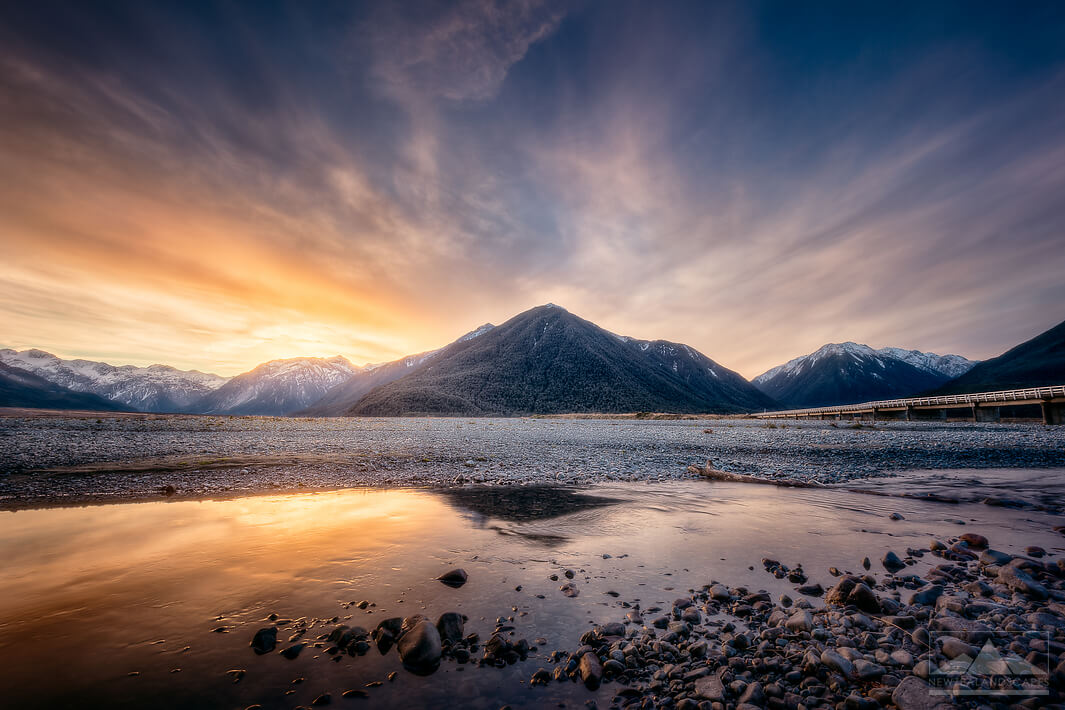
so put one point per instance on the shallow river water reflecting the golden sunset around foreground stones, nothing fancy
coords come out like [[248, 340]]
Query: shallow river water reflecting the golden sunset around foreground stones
[[90, 596]]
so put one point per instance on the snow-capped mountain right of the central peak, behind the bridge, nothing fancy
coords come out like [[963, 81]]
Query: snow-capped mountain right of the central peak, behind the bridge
[[848, 373]]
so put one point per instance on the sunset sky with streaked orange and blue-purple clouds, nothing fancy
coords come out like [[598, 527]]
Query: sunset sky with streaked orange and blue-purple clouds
[[214, 186]]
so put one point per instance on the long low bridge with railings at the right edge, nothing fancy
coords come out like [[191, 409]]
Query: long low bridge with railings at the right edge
[[982, 407]]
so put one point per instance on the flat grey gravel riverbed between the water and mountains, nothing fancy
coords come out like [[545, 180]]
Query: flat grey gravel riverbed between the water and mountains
[[126, 458]]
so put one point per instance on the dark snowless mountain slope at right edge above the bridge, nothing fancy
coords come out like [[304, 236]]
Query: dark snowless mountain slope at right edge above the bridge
[[1037, 362]]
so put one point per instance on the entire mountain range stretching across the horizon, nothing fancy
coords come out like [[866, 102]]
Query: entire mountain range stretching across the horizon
[[543, 361]]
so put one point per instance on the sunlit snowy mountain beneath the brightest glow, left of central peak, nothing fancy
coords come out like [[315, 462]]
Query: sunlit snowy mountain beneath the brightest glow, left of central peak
[[277, 388]]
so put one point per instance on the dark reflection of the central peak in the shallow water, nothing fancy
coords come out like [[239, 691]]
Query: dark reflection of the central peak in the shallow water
[[523, 507]]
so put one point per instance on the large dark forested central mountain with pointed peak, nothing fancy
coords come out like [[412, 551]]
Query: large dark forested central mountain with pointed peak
[[547, 361]]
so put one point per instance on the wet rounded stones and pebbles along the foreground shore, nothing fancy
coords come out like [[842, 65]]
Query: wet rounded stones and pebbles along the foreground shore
[[980, 630]]
